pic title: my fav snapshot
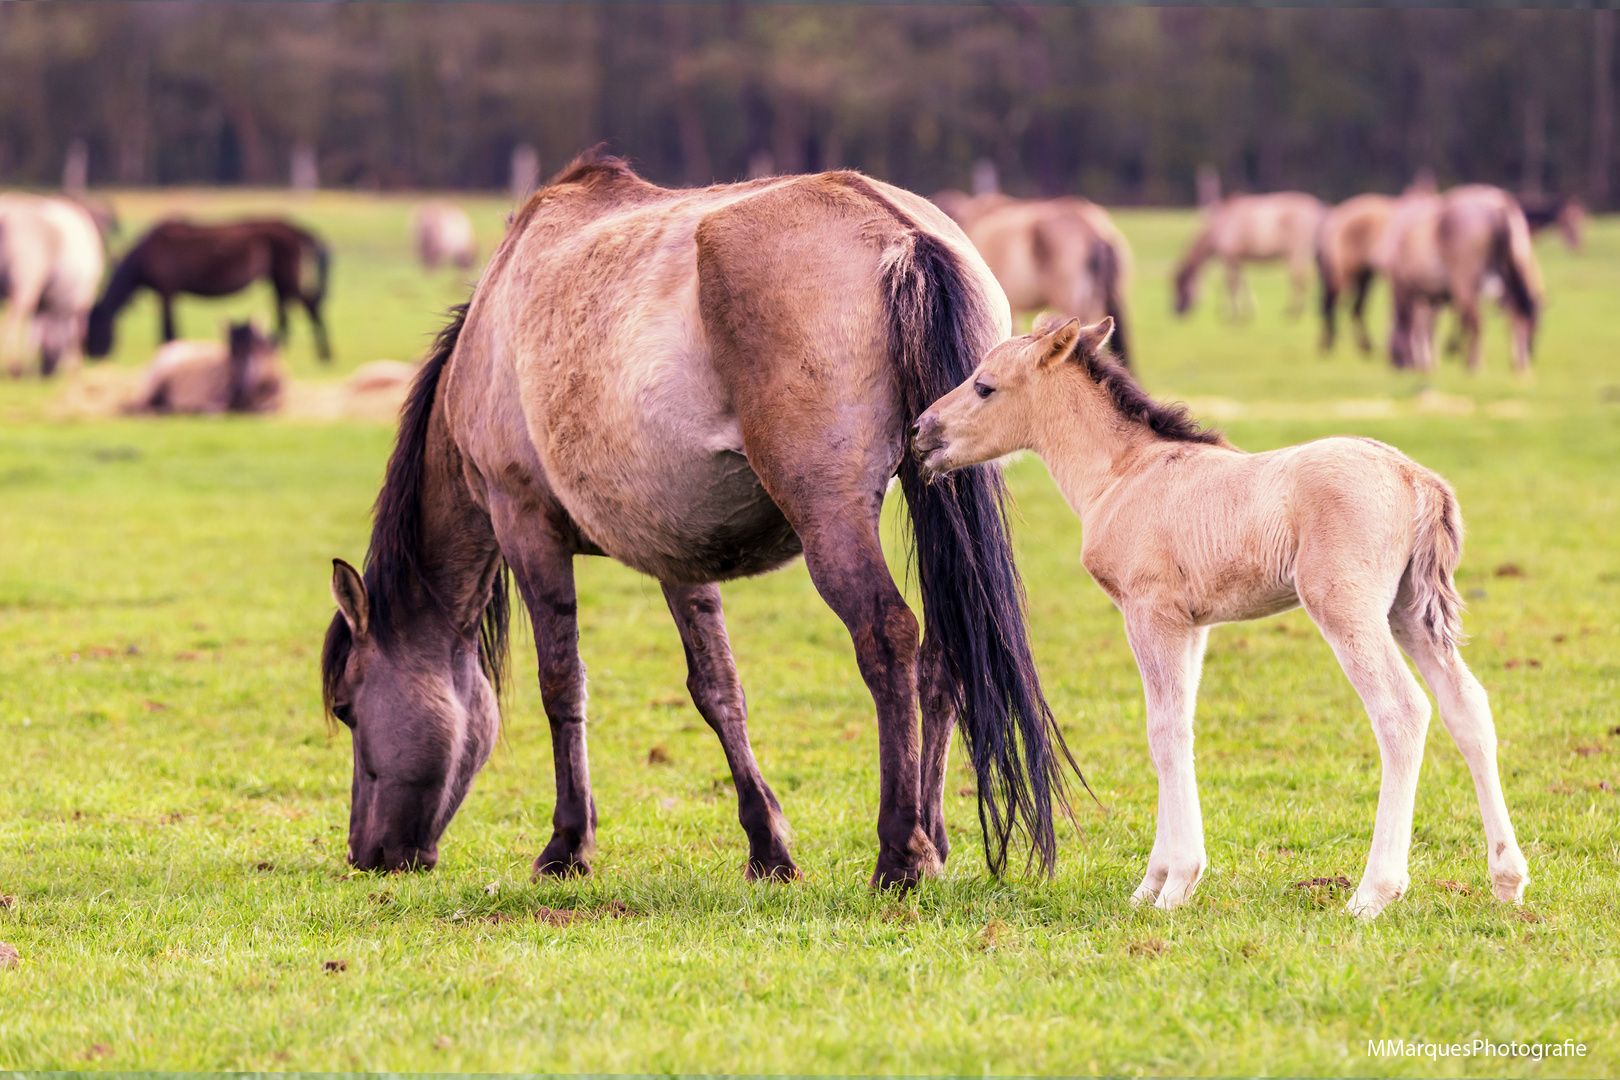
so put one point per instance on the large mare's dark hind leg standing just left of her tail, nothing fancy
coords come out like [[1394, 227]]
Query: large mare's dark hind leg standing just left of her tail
[[846, 564]]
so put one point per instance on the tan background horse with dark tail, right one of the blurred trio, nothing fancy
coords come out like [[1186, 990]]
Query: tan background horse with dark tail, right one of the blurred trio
[[1443, 249]]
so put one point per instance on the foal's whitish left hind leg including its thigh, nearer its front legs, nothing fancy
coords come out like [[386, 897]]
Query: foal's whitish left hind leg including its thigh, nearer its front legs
[[1350, 605]]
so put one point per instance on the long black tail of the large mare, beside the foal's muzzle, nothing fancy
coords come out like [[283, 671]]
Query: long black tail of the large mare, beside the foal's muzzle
[[971, 592]]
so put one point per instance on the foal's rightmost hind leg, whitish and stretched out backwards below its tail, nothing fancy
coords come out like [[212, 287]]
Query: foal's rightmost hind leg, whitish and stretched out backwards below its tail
[[1467, 713]]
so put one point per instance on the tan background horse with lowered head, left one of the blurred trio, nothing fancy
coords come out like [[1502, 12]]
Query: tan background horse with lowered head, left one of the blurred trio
[[1253, 229]]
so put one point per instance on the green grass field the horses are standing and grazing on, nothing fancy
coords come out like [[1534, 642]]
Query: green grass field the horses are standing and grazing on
[[174, 810]]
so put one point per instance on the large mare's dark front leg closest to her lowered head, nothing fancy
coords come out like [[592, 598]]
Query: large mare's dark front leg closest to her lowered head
[[545, 576]]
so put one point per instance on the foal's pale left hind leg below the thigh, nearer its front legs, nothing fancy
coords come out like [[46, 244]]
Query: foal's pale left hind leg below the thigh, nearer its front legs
[[1400, 721]]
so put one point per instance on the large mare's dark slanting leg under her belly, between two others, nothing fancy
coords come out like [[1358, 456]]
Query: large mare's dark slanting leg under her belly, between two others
[[712, 678]]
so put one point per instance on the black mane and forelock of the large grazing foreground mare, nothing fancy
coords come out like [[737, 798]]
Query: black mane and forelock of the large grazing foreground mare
[[394, 558]]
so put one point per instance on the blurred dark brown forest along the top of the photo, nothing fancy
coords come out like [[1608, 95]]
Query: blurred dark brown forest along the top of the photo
[[1117, 104]]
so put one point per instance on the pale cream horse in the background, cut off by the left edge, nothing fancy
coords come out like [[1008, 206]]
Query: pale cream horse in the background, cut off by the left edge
[[51, 266]]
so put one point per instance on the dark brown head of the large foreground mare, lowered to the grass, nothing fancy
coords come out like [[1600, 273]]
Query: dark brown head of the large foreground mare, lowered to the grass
[[417, 699]]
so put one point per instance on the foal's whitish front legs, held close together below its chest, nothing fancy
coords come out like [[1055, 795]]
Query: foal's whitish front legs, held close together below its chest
[[1170, 657]]
